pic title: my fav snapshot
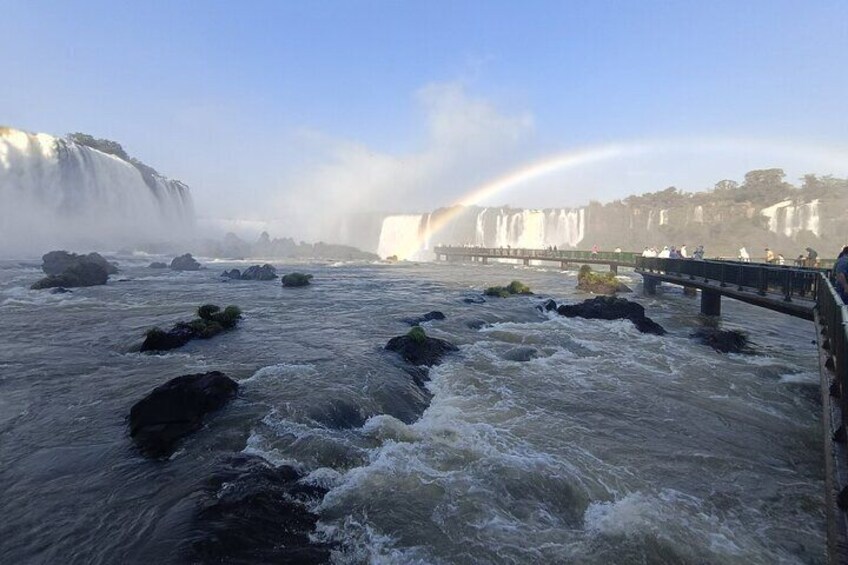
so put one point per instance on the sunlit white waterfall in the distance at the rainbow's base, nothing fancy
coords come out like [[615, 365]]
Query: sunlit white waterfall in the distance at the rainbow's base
[[412, 236]]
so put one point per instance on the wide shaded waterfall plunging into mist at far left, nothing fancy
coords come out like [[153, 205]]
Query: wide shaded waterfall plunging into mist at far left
[[55, 193]]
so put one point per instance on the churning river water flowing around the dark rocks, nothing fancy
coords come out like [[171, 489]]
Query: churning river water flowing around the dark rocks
[[609, 447]]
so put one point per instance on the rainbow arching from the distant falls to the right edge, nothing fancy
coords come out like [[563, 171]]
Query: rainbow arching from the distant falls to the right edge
[[830, 157]]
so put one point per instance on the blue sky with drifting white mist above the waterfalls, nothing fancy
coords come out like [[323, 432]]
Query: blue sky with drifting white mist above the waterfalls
[[270, 109]]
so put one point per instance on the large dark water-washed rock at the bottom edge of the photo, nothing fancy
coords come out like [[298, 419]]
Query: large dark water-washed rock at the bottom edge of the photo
[[253, 512]]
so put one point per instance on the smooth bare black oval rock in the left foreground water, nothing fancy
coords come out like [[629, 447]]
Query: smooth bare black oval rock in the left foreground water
[[176, 409]]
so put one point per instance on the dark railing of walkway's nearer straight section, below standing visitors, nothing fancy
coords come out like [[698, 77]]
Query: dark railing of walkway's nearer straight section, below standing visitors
[[762, 278]]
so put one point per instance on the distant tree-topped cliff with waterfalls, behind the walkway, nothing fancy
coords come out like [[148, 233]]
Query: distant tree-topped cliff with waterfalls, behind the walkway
[[762, 212]]
